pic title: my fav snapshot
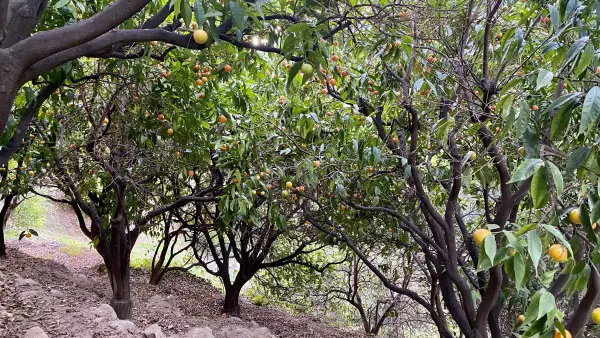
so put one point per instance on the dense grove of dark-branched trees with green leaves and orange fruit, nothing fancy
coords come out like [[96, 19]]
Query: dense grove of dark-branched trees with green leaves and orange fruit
[[352, 156]]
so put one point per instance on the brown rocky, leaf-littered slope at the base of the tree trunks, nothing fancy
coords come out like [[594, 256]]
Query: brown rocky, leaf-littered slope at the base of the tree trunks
[[43, 298]]
